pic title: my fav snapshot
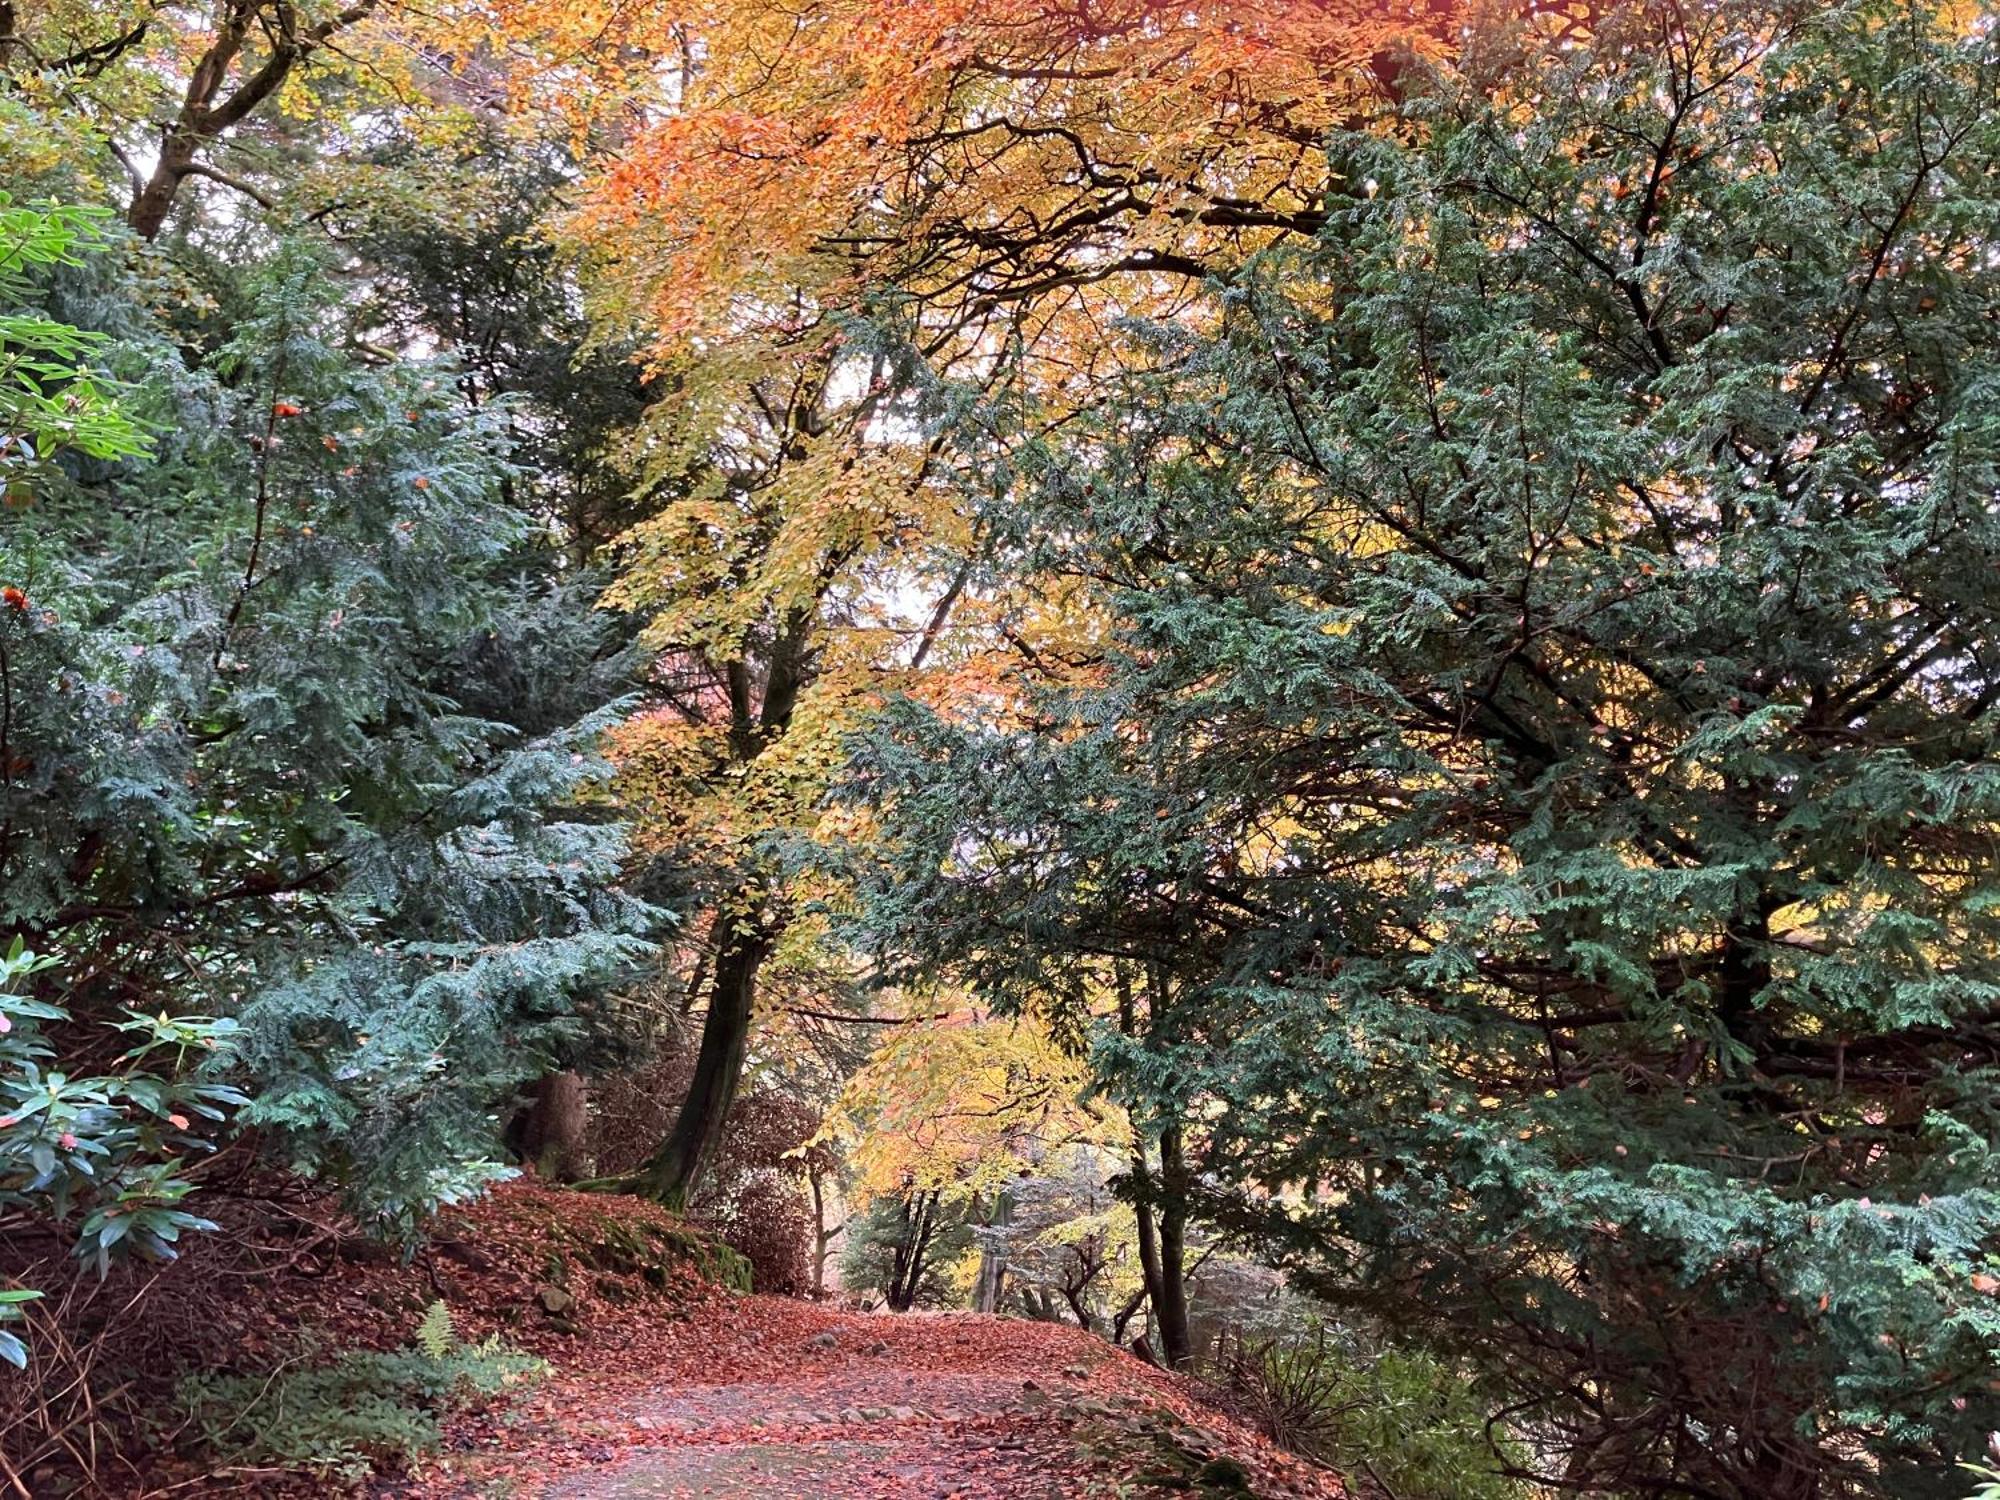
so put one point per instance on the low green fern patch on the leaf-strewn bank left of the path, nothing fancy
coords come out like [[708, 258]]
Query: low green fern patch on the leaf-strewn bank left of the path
[[357, 1413]]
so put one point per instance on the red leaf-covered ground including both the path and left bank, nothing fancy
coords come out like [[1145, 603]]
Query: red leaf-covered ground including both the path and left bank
[[665, 1383]]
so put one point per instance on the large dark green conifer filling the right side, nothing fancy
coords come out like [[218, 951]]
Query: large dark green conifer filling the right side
[[1545, 743]]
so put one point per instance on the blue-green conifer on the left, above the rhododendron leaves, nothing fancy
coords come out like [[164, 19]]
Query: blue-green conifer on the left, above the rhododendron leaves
[[301, 729]]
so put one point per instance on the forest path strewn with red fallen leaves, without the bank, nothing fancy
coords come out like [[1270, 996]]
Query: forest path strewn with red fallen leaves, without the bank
[[789, 1401]]
